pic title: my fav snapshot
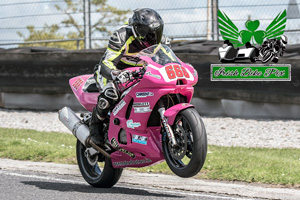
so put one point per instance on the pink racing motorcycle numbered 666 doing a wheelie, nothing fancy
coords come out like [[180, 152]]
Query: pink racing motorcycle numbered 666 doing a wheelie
[[152, 122]]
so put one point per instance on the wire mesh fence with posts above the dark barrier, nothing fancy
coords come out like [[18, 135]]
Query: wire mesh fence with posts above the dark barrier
[[79, 24]]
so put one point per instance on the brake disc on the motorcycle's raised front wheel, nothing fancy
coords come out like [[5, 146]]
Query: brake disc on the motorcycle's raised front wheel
[[179, 151]]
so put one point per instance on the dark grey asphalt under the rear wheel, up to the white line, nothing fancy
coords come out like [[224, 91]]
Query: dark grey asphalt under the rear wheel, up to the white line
[[36, 186]]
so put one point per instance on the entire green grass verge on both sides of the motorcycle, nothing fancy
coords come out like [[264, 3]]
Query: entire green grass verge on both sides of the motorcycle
[[272, 166]]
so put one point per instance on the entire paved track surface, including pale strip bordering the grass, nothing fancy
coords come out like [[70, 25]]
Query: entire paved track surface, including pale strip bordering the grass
[[37, 180]]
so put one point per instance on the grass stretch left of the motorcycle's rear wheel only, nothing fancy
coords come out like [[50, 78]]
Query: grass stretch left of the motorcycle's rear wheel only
[[23, 144]]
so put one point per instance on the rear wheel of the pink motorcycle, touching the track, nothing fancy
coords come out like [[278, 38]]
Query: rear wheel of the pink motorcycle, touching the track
[[104, 177]]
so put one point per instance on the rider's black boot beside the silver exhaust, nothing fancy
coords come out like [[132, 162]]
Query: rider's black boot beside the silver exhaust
[[96, 128]]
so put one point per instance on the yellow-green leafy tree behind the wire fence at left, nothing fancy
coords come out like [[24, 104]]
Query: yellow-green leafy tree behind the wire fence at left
[[105, 14]]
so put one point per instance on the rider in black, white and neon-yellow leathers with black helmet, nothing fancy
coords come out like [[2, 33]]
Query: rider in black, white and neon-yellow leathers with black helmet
[[144, 29]]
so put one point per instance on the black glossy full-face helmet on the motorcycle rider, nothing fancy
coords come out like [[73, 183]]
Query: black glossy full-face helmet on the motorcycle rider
[[147, 26]]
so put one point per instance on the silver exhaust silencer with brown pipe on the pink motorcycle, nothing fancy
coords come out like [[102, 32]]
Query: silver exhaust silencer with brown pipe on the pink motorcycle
[[79, 130]]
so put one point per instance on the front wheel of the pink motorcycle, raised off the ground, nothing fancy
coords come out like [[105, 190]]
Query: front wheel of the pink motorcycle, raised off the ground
[[186, 158]]
